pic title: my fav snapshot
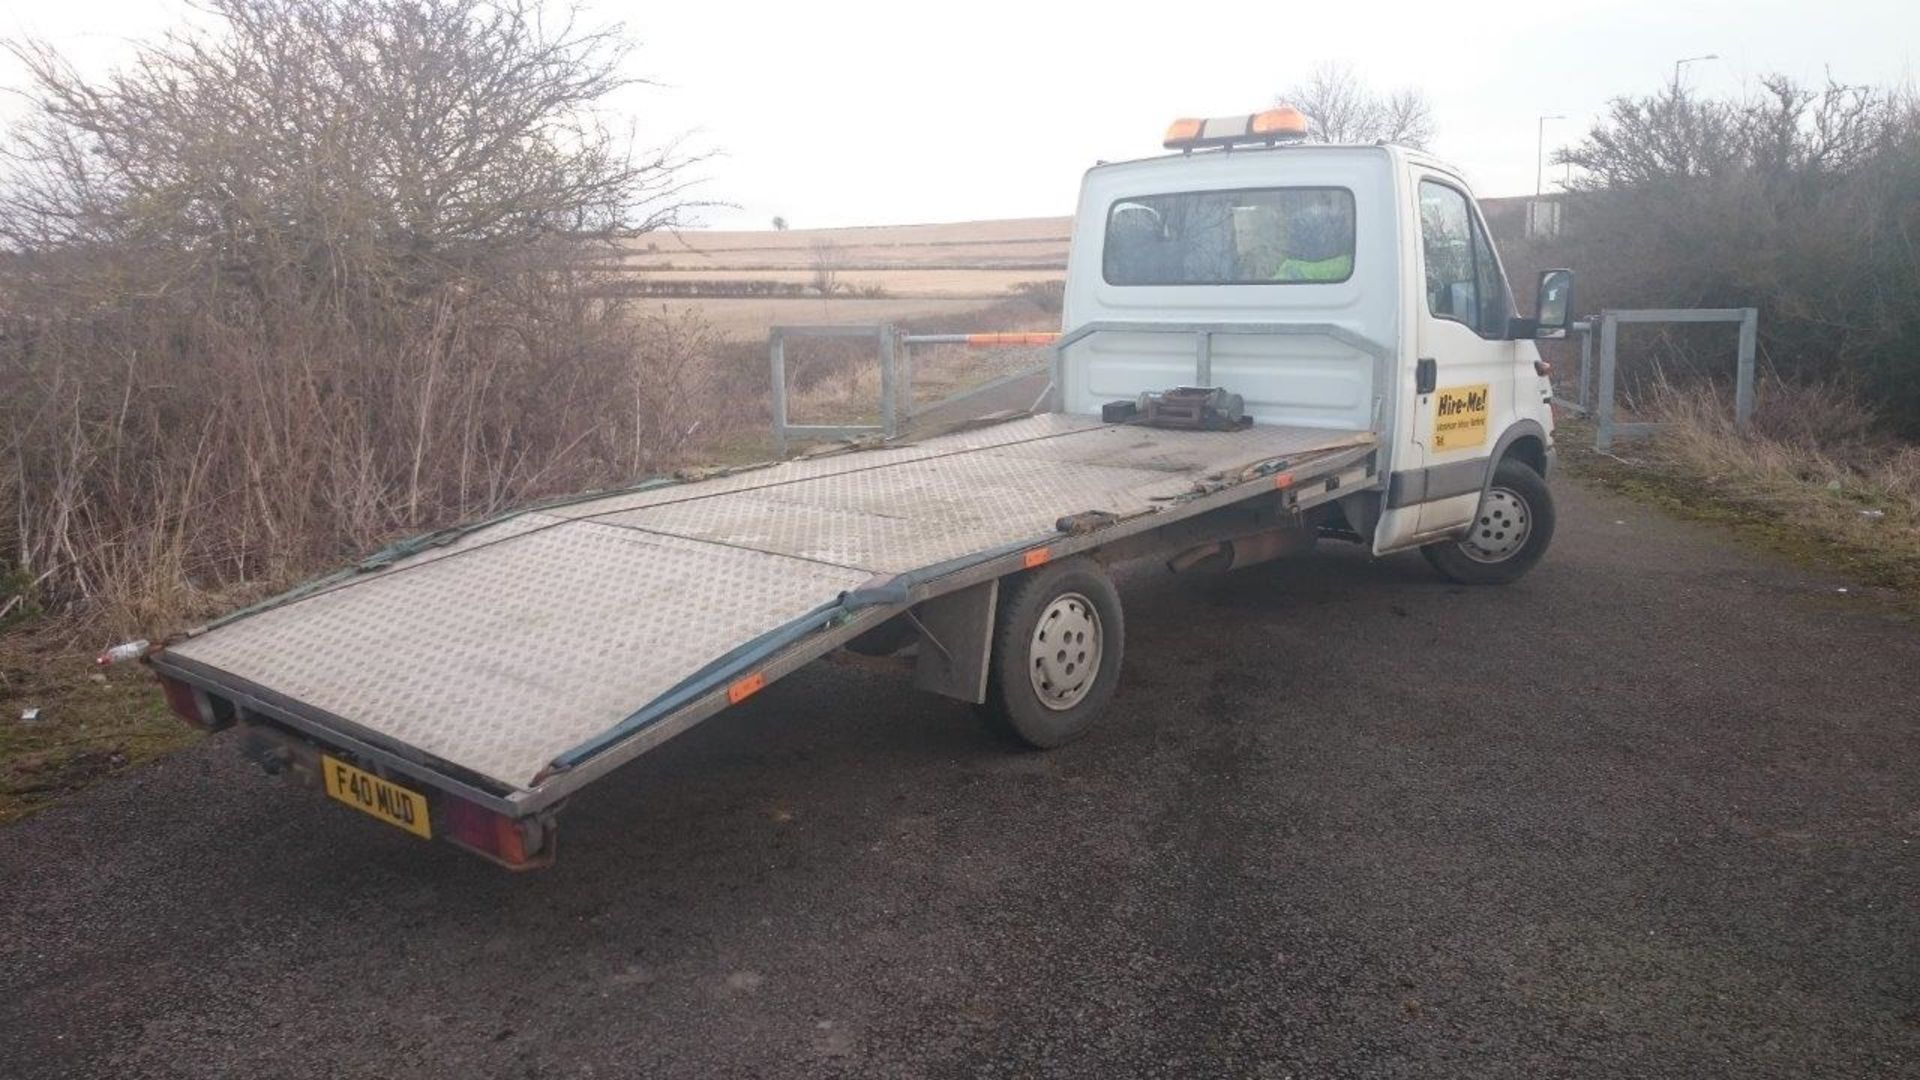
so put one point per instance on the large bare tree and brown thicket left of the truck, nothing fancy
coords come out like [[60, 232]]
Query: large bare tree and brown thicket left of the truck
[[312, 274]]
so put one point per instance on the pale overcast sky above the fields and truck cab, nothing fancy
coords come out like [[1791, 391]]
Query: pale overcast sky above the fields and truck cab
[[900, 112]]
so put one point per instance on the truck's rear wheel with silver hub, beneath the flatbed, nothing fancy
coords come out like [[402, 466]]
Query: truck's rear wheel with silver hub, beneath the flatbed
[[1057, 649]]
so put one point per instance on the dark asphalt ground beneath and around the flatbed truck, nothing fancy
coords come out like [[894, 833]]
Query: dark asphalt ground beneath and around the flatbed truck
[[1652, 812]]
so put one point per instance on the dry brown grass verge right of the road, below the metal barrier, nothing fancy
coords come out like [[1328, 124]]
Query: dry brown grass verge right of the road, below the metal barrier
[[1812, 478]]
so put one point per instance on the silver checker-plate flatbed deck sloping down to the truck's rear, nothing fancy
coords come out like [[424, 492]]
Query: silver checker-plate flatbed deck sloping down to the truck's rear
[[533, 637]]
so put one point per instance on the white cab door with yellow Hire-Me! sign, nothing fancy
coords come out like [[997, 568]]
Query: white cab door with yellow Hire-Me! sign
[[1464, 380]]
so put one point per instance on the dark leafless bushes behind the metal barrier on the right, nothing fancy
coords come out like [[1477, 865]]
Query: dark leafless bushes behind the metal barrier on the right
[[1798, 203]]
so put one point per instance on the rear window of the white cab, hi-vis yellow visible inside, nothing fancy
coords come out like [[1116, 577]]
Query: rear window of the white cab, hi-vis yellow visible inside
[[1239, 237]]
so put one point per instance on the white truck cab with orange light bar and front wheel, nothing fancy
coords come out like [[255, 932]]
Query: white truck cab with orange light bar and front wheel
[[1339, 287]]
